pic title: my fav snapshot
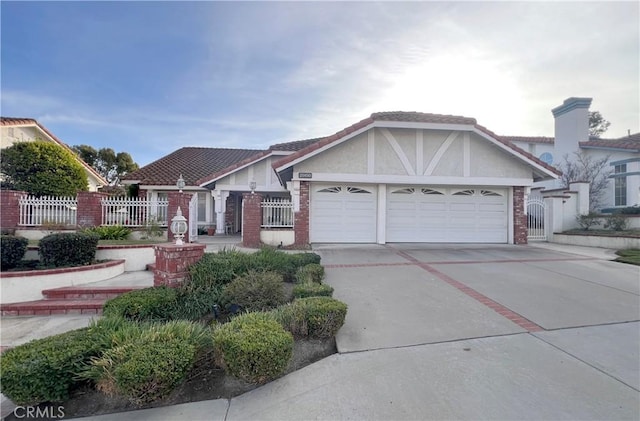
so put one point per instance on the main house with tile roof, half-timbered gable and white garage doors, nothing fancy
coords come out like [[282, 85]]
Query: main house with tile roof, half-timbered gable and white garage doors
[[392, 177]]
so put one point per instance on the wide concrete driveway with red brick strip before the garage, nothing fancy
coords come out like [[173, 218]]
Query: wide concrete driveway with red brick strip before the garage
[[462, 332]]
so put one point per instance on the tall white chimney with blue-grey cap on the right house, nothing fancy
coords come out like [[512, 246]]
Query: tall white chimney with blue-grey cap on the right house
[[571, 126]]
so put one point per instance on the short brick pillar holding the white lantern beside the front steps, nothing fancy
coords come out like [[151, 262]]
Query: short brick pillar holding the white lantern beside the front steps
[[172, 262]]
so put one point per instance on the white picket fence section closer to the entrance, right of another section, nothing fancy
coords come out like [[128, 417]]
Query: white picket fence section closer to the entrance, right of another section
[[134, 211]]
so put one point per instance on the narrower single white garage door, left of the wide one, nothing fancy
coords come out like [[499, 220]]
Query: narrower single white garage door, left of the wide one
[[343, 213]]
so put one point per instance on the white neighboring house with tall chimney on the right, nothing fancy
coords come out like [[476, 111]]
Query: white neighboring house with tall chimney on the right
[[572, 135]]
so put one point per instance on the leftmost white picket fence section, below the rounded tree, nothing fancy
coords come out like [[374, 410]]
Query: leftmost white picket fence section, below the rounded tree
[[39, 211]]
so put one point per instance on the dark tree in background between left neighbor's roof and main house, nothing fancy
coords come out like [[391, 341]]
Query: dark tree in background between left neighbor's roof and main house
[[109, 164]]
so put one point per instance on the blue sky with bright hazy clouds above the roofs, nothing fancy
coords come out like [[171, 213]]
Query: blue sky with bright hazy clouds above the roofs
[[150, 77]]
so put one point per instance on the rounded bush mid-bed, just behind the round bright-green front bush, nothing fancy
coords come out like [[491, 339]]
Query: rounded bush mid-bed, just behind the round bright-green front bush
[[256, 291]]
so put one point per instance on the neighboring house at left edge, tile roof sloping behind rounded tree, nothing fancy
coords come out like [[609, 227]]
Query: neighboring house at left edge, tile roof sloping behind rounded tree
[[27, 130]]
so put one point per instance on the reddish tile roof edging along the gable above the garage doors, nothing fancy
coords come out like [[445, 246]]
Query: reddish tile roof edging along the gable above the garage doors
[[410, 116]]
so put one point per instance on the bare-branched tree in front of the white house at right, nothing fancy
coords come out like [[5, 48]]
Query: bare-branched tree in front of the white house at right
[[583, 167]]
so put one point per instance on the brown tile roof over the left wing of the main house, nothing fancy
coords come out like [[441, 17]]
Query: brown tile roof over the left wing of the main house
[[192, 162]]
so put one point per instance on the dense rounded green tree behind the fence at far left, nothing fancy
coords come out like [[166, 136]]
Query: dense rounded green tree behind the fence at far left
[[42, 168]]
